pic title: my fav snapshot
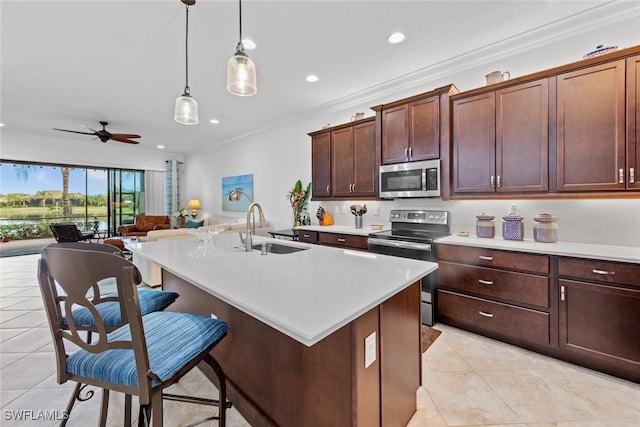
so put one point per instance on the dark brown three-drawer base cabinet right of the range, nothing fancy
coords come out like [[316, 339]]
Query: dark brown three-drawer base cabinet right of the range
[[497, 293]]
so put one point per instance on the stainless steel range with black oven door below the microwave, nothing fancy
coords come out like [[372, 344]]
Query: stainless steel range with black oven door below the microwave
[[411, 236]]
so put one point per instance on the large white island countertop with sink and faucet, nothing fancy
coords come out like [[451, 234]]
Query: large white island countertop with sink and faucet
[[306, 295]]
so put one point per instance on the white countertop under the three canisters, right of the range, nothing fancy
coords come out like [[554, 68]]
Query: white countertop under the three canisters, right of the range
[[579, 250]]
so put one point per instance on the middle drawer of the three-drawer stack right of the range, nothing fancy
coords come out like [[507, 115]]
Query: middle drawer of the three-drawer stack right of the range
[[516, 287]]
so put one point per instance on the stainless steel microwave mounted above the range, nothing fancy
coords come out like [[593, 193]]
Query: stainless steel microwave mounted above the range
[[414, 179]]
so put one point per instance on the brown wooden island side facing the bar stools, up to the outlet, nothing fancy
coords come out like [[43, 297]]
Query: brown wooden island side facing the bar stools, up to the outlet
[[277, 380]]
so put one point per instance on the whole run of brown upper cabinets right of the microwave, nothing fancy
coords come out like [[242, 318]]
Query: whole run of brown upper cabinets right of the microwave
[[556, 133]]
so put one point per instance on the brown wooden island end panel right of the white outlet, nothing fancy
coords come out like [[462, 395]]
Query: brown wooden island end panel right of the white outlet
[[401, 356]]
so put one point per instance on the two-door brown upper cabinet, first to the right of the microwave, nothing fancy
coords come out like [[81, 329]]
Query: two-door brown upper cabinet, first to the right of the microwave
[[501, 140]]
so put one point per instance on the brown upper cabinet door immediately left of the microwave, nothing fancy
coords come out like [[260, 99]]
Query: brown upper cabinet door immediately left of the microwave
[[365, 170]]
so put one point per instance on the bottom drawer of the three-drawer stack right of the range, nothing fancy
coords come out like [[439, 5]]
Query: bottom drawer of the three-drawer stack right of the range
[[505, 319]]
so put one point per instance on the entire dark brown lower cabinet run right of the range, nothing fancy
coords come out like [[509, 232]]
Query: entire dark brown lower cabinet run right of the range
[[585, 311]]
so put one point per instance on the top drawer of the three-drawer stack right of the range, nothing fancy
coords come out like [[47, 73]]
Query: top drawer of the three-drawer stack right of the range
[[493, 258]]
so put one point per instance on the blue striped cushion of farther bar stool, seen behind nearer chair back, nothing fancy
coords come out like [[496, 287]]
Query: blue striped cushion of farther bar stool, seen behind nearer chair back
[[150, 301]]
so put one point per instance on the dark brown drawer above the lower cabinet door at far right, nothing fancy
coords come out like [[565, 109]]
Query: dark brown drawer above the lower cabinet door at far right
[[603, 271]]
